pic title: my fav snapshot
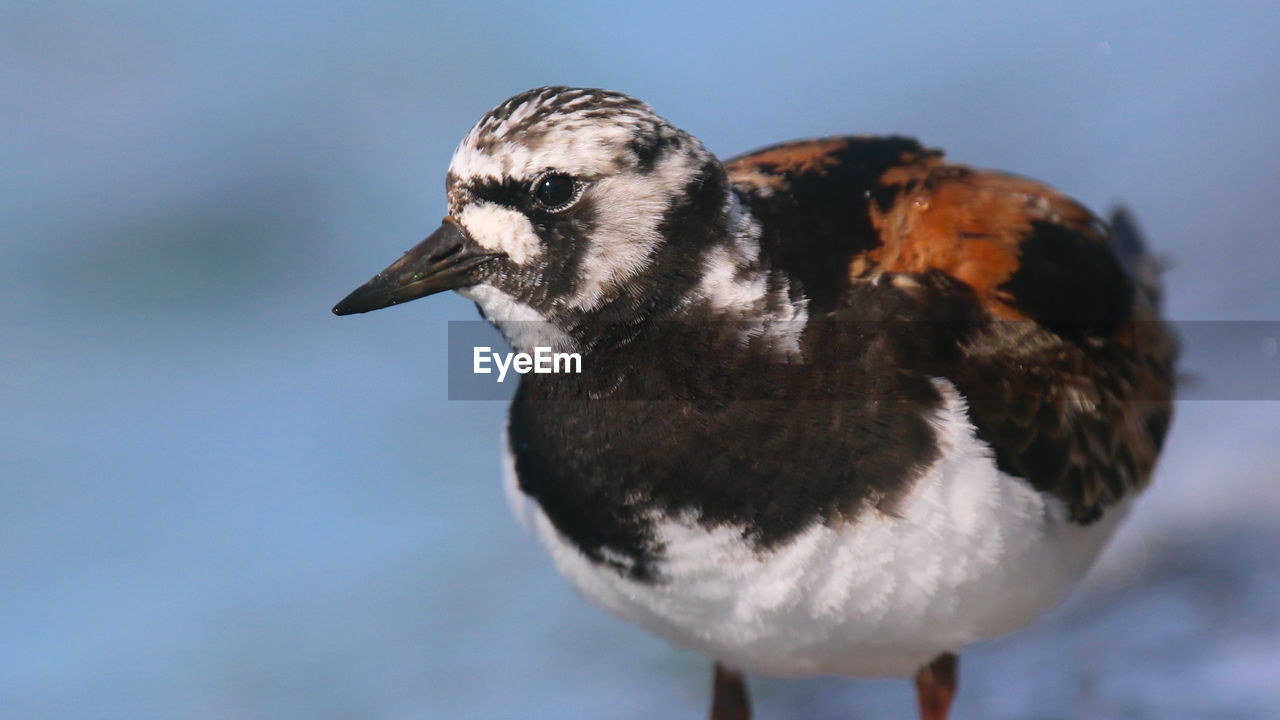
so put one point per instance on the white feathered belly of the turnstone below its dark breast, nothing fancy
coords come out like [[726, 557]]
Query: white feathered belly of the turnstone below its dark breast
[[972, 554]]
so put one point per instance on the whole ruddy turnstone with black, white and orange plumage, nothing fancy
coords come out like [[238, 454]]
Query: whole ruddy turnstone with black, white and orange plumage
[[844, 408]]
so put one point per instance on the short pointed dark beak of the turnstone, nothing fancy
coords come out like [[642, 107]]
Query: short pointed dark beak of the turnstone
[[442, 262]]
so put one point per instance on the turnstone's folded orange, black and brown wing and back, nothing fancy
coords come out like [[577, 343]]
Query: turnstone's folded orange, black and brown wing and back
[[1054, 318]]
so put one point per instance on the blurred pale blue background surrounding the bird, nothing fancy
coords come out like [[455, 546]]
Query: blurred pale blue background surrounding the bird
[[217, 500]]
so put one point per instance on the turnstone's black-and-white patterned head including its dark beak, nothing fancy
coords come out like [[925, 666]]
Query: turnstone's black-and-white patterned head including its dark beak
[[569, 212]]
